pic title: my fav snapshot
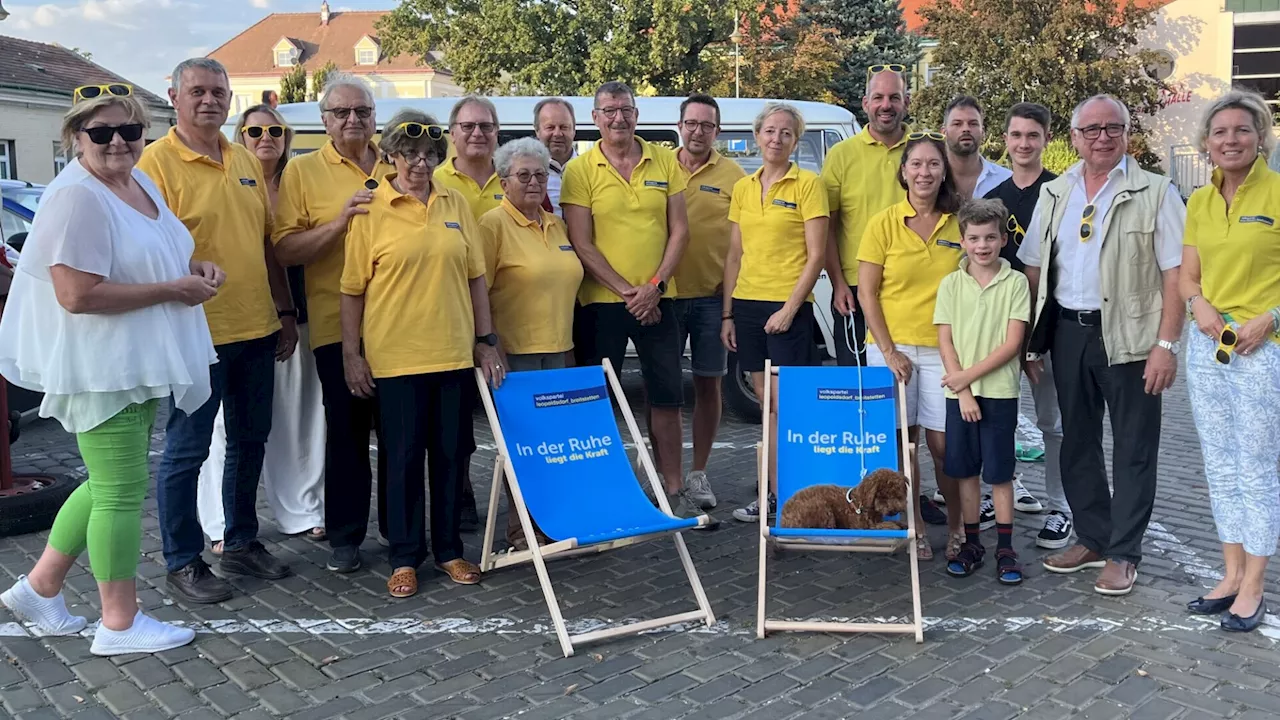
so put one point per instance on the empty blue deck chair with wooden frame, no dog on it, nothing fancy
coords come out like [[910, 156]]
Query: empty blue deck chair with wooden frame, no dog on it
[[561, 453]]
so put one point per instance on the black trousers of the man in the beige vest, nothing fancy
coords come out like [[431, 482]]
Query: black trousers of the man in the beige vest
[[1110, 525]]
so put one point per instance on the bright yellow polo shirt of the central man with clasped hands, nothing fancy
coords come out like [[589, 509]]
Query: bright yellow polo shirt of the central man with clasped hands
[[629, 218]]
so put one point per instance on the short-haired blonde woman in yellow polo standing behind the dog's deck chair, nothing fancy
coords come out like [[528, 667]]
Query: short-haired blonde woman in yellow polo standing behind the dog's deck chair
[[778, 236]]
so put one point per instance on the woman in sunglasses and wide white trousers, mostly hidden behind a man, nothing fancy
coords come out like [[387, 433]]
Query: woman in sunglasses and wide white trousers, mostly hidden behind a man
[[294, 467]]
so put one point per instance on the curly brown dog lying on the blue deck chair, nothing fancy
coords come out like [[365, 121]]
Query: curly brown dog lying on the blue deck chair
[[861, 508]]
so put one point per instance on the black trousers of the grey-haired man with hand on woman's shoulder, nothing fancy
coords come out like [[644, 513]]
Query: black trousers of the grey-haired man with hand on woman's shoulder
[[348, 479]]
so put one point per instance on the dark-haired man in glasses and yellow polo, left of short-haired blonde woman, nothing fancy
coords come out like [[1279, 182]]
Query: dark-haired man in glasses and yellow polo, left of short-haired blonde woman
[[710, 180]]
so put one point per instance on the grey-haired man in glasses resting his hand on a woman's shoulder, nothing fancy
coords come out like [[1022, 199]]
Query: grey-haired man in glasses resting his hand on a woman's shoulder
[[319, 195]]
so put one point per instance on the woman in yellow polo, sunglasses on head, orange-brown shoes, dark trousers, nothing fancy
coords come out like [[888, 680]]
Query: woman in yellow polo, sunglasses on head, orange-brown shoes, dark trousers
[[414, 291]]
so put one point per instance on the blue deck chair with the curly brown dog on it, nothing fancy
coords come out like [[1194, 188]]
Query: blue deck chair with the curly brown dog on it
[[836, 426]]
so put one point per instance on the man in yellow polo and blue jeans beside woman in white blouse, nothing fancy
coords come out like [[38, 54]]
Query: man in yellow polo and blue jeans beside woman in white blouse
[[217, 189]]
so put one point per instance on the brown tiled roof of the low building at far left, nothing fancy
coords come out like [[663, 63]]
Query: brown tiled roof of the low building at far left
[[53, 69]]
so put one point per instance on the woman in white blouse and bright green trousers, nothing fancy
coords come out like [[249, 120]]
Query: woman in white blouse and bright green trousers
[[104, 318]]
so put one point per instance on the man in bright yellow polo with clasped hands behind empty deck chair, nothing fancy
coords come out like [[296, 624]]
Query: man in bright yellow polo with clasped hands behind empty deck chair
[[625, 208]]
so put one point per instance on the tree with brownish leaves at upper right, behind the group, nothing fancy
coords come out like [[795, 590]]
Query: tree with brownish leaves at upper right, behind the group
[[1050, 52]]
